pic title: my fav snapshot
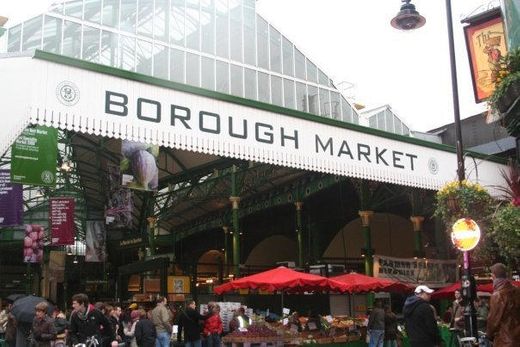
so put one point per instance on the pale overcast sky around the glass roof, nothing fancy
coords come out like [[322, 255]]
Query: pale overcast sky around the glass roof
[[368, 60]]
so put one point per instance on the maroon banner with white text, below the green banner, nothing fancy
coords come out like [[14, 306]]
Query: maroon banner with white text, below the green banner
[[61, 221]]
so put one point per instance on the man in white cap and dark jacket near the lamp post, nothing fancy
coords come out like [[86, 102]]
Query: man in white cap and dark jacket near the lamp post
[[419, 318]]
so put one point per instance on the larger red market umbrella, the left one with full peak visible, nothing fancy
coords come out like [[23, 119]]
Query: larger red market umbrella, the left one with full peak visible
[[282, 279]]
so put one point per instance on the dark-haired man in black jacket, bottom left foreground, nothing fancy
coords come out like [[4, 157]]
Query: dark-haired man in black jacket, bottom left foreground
[[86, 321]]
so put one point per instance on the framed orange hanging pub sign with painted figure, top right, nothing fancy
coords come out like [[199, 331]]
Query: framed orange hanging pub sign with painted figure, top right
[[486, 44]]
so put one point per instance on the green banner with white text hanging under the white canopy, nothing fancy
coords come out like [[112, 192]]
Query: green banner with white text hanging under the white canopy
[[34, 155]]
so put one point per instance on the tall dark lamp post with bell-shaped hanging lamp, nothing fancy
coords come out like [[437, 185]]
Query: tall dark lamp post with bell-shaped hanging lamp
[[409, 18]]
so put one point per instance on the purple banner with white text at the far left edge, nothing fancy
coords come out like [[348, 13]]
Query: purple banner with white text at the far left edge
[[11, 201]]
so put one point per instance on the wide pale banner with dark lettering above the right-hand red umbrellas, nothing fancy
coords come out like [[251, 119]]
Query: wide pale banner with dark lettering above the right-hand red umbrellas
[[431, 272]]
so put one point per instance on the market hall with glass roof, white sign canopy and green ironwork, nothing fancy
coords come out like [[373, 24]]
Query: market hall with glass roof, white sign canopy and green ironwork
[[261, 160]]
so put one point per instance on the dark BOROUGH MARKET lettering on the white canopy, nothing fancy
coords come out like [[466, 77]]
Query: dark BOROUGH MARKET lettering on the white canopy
[[148, 110]]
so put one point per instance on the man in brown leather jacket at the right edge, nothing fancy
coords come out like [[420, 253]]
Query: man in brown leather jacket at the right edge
[[503, 323]]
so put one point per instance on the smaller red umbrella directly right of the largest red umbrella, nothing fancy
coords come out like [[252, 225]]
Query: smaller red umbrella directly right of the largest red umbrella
[[358, 283]]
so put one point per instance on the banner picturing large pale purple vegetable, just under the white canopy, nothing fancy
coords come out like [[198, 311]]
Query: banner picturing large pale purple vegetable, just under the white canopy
[[139, 165]]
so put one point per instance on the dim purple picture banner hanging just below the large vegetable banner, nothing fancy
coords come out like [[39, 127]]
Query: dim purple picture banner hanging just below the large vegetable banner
[[118, 211]]
